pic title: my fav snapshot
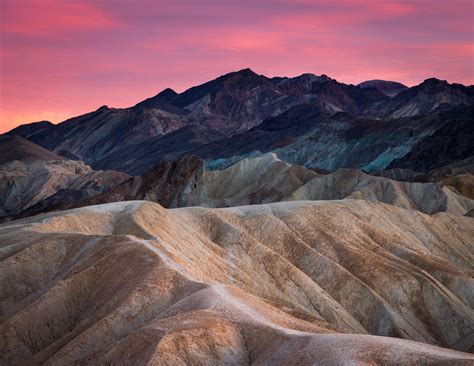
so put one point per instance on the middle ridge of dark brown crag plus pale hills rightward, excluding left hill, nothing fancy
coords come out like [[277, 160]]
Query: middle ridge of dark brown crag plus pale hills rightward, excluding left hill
[[267, 179]]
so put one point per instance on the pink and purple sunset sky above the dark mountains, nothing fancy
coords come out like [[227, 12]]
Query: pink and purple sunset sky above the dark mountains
[[61, 58]]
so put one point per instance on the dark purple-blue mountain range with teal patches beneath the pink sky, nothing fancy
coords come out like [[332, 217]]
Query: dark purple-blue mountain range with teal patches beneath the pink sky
[[243, 113]]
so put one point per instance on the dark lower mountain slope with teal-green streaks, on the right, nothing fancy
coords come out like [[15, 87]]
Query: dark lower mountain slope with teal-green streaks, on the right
[[307, 136]]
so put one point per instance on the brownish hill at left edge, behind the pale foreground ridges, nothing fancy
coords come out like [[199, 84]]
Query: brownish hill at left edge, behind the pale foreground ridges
[[33, 179]]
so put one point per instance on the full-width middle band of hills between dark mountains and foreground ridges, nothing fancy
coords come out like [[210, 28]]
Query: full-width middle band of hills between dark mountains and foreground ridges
[[28, 188]]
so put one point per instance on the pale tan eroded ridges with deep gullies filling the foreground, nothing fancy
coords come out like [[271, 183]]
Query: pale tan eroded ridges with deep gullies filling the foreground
[[286, 283]]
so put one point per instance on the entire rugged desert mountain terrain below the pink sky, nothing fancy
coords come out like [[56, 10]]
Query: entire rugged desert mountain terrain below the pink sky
[[247, 220]]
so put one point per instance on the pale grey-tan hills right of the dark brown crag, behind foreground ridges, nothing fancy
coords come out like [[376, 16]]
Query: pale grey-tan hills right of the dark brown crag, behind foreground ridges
[[267, 179]]
